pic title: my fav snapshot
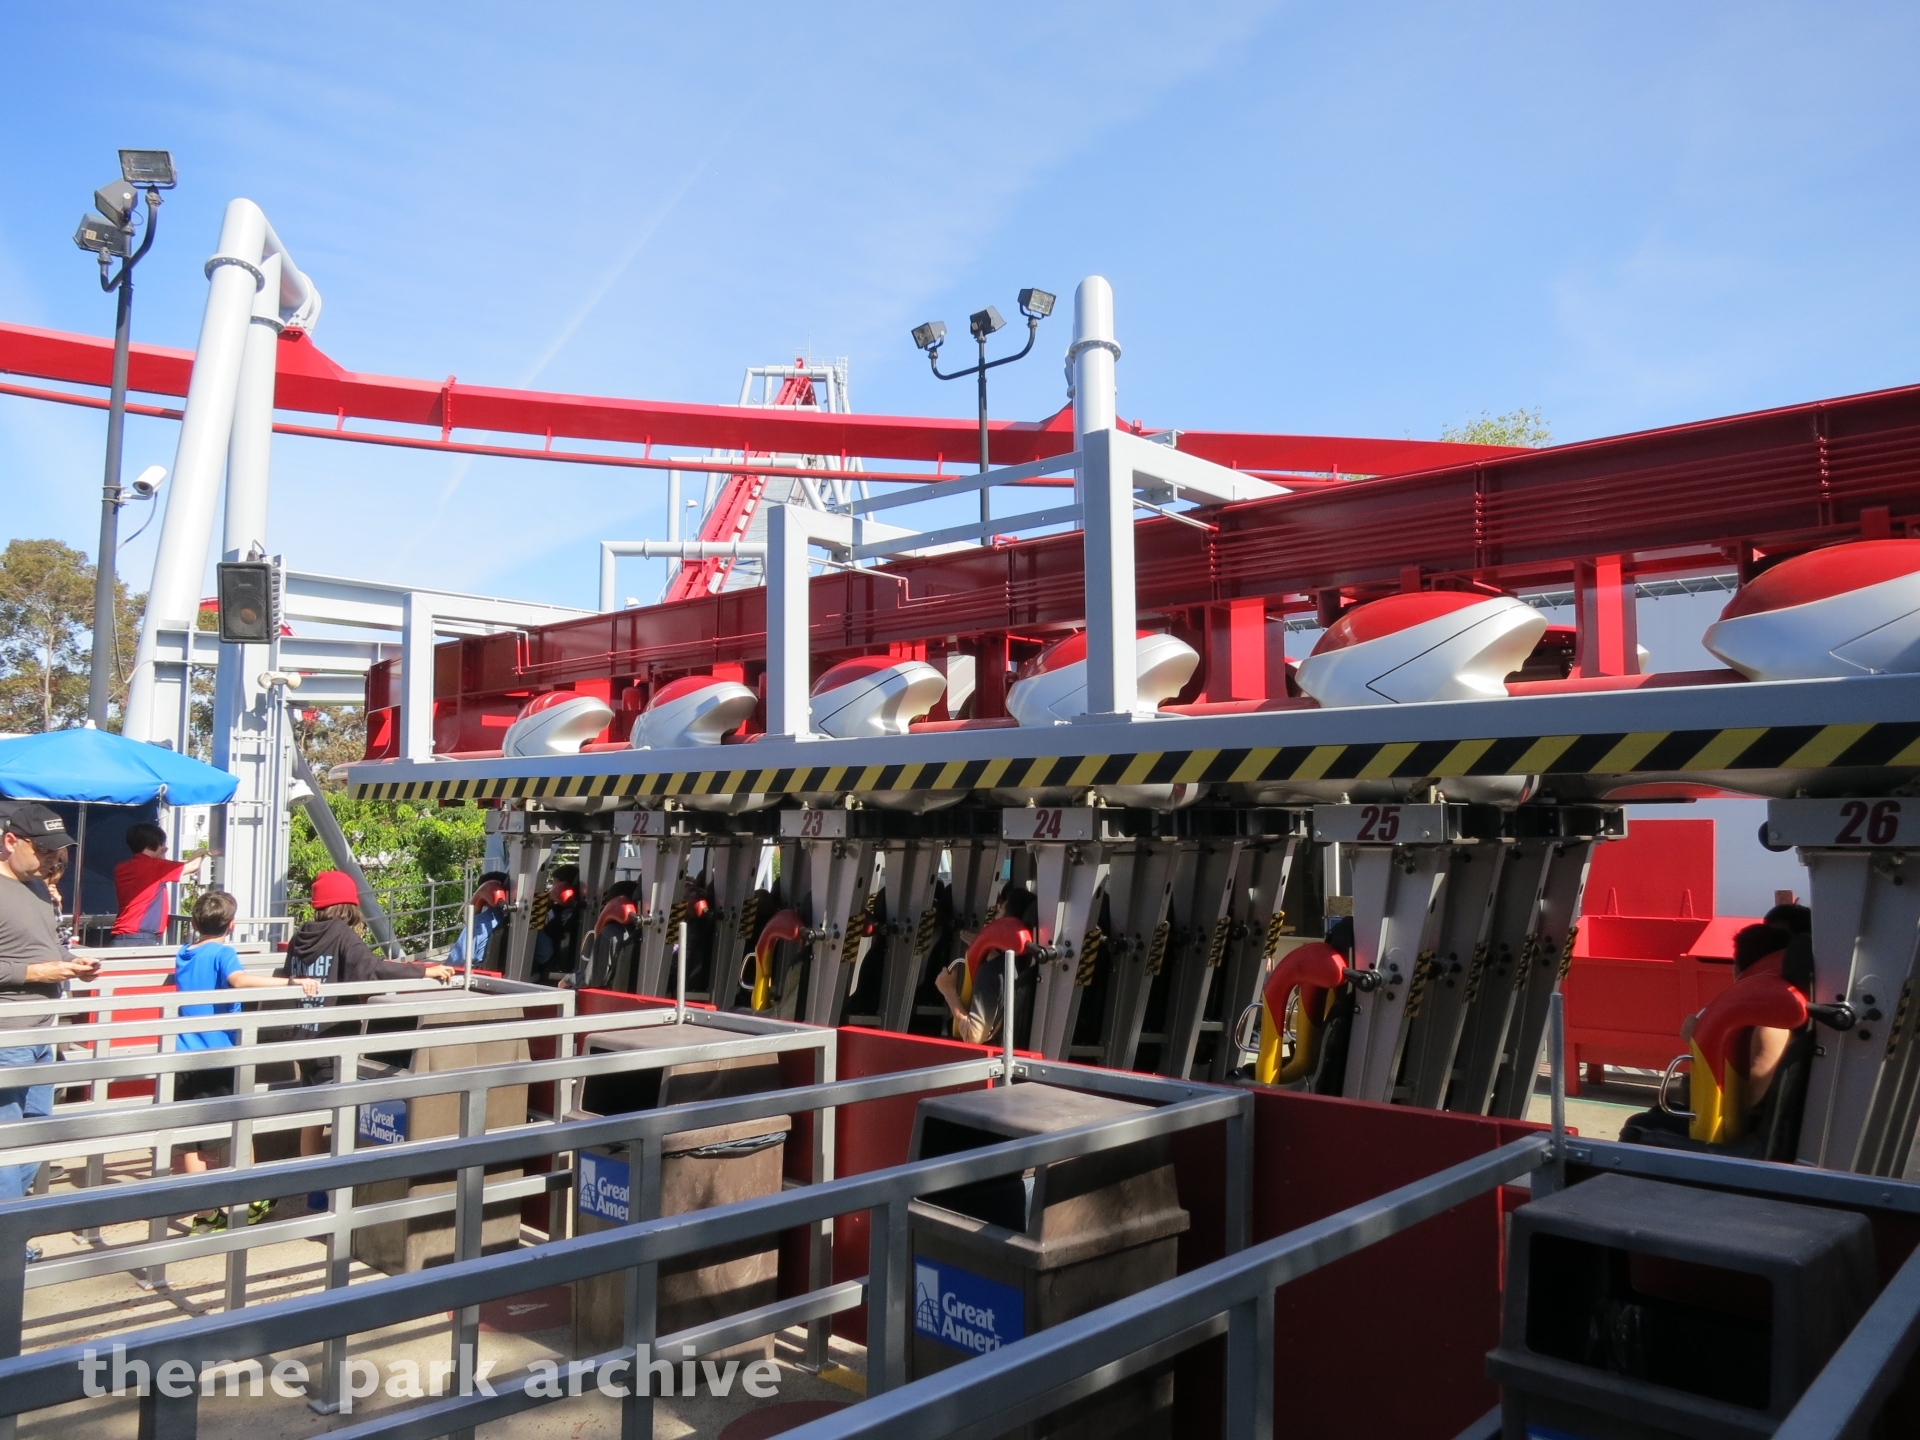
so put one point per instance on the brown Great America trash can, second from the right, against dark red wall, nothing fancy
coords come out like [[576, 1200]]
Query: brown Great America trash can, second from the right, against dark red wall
[[1005, 1259]]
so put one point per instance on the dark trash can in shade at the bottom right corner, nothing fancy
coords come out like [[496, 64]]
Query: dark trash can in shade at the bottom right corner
[[1641, 1310]]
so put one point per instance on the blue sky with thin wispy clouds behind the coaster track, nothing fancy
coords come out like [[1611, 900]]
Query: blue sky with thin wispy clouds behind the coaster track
[[1343, 220]]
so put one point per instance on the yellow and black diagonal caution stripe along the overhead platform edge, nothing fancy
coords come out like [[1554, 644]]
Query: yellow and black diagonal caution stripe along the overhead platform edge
[[1620, 754]]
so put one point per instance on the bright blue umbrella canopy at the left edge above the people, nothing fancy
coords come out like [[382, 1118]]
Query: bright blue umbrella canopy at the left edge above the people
[[95, 767]]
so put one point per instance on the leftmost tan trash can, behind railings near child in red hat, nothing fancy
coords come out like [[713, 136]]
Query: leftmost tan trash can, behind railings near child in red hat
[[410, 1245]]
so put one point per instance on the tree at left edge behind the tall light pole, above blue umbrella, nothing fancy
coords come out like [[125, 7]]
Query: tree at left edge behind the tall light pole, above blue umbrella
[[47, 619]]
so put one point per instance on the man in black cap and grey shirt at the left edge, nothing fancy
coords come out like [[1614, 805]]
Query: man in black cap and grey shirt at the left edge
[[34, 967]]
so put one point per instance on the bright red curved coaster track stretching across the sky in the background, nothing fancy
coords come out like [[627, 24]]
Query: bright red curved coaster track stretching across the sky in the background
[[312, 383]]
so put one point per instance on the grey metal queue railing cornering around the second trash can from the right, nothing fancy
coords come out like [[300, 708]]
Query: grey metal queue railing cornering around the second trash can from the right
[[53, 1378]]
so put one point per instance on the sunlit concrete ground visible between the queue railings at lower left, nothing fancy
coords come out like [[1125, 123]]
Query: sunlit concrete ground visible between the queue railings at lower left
[[107, 1308]]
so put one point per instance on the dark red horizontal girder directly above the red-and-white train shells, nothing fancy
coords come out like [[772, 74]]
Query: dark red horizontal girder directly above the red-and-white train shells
[[1689, 500]]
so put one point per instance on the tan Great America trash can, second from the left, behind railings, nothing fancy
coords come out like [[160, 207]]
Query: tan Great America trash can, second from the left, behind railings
[[700, 1170]]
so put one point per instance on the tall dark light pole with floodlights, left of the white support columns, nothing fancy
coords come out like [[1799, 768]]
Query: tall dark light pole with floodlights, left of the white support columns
[[107, 235]]
